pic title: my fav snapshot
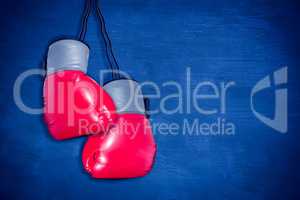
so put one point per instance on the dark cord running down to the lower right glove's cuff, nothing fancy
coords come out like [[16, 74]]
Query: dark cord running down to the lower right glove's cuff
[[108, 46]]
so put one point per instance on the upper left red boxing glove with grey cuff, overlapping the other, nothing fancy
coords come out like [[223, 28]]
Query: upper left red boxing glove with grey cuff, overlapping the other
[[74, 104]]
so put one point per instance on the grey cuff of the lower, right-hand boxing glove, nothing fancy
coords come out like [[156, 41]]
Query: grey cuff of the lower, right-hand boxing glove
[[127, 96]]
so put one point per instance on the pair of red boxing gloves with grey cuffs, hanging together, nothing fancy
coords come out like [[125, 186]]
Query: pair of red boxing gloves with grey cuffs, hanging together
[[120, 142]]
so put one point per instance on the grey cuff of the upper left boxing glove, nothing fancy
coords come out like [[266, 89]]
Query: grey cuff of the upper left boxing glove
[[67, 55]]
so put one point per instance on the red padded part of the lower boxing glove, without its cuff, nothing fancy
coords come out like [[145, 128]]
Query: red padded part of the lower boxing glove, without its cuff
[[126, 151]]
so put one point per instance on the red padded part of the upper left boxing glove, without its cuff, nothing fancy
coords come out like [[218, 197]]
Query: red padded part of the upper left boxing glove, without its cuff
[[76, 105]]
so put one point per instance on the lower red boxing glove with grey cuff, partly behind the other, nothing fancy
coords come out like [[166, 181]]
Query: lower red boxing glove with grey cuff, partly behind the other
[[127, 150]]
